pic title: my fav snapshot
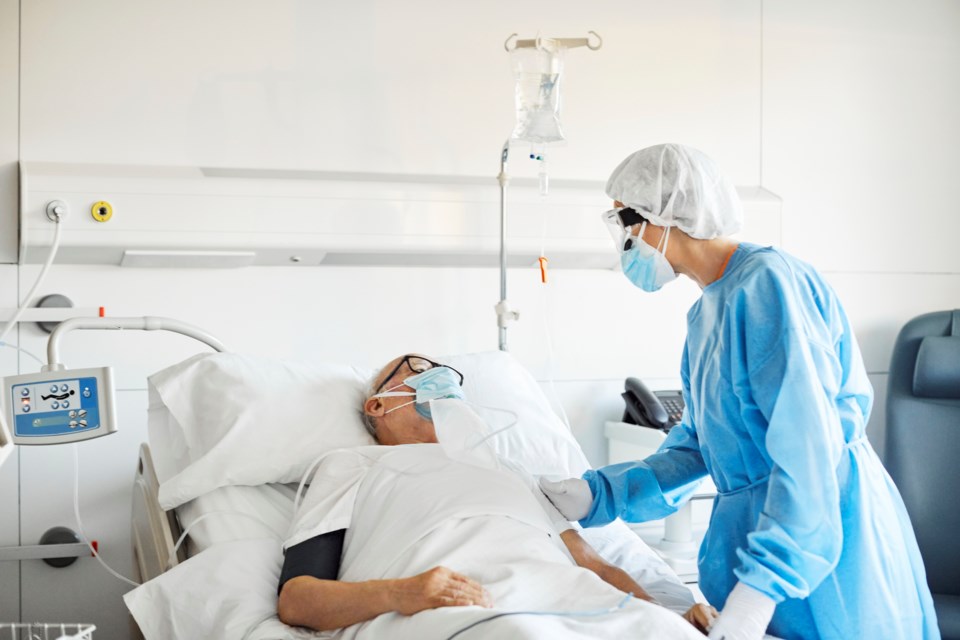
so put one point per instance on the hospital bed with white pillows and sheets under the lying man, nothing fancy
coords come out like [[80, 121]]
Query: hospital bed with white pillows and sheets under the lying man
[[232, 436]]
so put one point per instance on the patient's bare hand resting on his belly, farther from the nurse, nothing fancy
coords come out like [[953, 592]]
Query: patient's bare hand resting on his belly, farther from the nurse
[[438, 587]]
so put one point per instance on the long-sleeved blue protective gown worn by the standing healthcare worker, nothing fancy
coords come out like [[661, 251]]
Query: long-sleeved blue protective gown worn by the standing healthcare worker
[[777, 400]]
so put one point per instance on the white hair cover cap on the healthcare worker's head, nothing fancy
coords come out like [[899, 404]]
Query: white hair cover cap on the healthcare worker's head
[[673, 185]]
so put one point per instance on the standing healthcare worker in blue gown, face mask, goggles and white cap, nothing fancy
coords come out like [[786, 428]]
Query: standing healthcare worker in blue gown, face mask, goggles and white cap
[[809, 537]]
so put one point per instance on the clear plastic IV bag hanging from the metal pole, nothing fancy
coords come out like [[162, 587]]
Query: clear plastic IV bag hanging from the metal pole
[[537, 71]]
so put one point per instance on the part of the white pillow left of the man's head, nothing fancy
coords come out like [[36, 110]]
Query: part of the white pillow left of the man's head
[[227, 419]]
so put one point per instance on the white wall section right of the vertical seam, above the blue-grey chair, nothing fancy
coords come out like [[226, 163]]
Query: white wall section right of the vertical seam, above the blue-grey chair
[[859, 128]]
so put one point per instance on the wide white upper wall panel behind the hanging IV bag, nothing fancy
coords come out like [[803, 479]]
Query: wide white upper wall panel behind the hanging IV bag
[[413, 87]]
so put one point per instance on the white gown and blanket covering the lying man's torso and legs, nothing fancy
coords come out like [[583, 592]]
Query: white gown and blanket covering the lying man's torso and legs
[[410, 508]]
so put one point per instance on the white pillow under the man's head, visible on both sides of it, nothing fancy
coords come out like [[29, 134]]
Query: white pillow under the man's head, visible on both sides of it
[[226, 419]]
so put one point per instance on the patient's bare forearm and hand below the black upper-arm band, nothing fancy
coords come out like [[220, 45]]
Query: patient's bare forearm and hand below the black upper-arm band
[[306, 601]]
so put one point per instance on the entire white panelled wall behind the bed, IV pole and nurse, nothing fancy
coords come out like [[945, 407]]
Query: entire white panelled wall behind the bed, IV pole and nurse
[[845, 112]]
